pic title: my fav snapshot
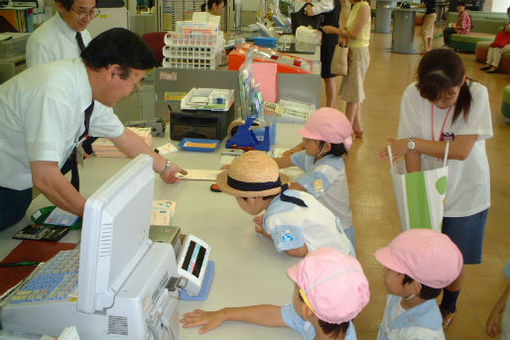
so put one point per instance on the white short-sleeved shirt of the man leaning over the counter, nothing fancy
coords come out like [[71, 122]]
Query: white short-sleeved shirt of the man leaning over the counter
[[41, 118]]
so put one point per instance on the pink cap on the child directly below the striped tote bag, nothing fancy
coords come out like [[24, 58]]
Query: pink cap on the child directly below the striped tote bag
[[425, 255]]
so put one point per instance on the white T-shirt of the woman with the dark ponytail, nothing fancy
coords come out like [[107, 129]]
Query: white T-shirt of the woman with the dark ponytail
[[468, 190]]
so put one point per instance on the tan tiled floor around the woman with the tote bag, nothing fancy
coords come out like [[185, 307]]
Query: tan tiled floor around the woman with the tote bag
[[375, 216]]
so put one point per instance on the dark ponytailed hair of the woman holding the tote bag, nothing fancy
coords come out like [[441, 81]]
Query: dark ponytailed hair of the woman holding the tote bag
[[438, 72]]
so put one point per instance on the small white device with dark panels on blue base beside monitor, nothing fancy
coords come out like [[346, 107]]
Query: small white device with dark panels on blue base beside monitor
[[192, 267]]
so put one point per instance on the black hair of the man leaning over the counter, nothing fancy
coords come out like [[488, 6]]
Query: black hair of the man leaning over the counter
[[119, 46]]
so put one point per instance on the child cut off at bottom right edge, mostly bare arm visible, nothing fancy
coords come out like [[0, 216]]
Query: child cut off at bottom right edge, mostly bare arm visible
[[499, 319]]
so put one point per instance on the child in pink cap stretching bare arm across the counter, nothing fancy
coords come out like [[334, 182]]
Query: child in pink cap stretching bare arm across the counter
[[331, 290]]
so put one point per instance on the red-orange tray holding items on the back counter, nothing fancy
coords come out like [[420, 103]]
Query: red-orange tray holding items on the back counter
[[286, 63]]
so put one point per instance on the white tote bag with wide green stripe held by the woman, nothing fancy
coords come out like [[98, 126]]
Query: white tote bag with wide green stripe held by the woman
[[420, 195]]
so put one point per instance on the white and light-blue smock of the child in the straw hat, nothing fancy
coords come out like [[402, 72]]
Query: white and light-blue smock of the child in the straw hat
[[291, 225]]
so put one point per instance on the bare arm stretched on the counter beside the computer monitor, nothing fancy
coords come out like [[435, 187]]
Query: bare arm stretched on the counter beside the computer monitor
[[266, 315]]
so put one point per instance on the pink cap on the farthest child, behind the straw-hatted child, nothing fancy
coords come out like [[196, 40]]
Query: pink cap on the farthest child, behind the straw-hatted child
[[328, 125]]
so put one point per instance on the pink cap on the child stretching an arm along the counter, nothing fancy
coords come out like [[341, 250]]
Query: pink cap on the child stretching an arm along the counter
[[334, 284]]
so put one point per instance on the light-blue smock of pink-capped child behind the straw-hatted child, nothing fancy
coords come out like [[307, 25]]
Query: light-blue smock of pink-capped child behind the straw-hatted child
[[326, 180]]
